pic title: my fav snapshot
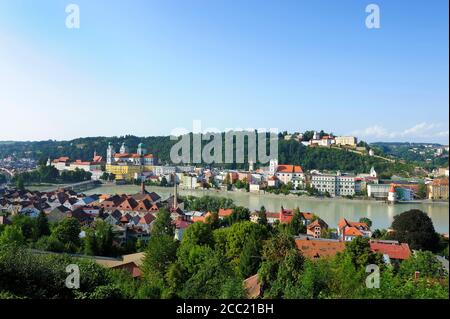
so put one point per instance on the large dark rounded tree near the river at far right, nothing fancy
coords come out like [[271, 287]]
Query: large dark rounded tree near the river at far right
[[415, 228]]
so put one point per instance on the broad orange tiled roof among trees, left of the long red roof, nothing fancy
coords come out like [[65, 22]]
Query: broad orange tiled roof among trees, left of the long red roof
[[313, 249]]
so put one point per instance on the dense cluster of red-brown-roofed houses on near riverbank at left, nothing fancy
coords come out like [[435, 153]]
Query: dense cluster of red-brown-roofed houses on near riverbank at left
[[131, 216]]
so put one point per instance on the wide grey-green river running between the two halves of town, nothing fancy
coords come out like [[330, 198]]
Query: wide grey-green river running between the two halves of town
[[330, 210]]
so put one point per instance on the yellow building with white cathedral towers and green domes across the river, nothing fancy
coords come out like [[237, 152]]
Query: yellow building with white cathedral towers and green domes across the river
[[128, 166]]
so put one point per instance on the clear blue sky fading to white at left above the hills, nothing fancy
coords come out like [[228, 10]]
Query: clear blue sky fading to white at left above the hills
[[147, 67]]
